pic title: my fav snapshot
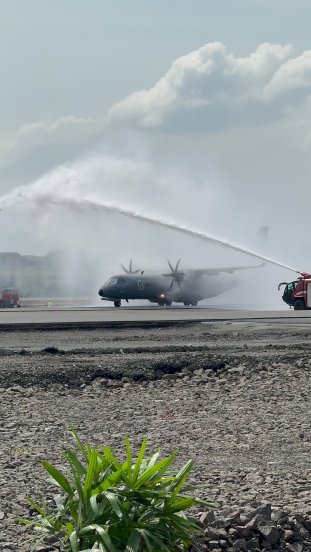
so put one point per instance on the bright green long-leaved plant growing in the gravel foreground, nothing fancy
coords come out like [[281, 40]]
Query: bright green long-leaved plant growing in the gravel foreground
[[108, 506]]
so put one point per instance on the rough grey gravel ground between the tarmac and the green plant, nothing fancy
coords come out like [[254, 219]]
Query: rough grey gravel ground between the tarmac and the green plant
[[233, 397]]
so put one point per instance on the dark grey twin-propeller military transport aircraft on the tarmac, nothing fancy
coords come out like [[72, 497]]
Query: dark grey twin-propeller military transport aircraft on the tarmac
[[178, 286]]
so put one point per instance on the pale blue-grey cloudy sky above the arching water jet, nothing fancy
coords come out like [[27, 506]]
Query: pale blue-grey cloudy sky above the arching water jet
[[197, 111]]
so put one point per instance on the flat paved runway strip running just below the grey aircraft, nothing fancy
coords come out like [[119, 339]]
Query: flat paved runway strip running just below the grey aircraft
[[97, 317]]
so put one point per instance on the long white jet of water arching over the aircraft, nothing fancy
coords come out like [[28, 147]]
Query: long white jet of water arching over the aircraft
[[80, 205]]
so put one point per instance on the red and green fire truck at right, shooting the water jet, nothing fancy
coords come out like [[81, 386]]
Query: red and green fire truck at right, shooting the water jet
[[297, 294]]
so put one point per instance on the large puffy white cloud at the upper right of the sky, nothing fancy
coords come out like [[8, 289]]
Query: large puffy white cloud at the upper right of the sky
[[212, 88]]
